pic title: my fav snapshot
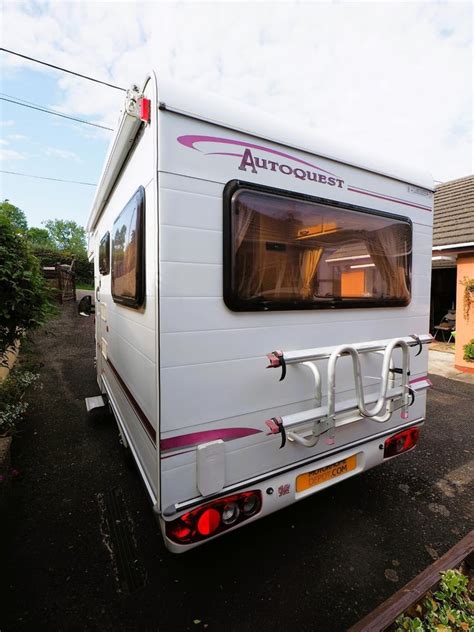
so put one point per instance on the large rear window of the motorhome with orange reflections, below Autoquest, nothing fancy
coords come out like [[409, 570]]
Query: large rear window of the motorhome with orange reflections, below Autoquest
[[287, 252]]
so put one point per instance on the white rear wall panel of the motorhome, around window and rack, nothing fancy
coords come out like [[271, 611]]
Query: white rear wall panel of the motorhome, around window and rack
[[212, 361]]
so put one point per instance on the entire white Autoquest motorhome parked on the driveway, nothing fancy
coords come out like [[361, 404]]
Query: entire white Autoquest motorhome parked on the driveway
[[262, 307]]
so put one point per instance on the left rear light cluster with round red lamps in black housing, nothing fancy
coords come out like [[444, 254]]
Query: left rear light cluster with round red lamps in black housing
[[214, 518]]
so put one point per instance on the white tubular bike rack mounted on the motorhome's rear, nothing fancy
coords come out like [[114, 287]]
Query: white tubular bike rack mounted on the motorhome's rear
[[377, 407]]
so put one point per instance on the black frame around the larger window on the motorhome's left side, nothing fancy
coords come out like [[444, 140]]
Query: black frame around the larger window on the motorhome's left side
[[139, 298]]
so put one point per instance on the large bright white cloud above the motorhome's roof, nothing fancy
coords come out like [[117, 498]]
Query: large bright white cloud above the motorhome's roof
[[392, 78]]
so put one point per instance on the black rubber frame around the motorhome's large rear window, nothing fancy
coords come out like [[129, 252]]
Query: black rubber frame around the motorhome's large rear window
[[230, 296]]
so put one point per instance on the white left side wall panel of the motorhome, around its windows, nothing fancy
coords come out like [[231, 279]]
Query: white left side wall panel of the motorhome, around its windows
[[126, 336]]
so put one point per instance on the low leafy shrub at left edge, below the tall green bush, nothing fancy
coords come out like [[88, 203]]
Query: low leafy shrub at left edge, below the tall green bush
[[12, 408]]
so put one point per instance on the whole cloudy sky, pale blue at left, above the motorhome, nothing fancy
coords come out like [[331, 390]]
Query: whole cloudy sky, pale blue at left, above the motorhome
[[392, 78]]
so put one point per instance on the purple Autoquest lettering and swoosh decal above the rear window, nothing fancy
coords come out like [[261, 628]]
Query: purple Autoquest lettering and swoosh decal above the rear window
[[252, 160]]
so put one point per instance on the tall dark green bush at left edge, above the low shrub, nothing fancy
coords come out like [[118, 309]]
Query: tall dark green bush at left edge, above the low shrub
[[24, 297]]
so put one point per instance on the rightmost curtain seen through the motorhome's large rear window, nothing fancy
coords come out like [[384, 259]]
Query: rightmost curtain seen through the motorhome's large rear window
[[388, 248]]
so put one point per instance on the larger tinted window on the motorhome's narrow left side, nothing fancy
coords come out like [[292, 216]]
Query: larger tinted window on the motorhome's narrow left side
[[128, 253]]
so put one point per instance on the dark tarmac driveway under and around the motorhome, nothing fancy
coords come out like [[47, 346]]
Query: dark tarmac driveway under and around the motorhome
[[80, 548]]
